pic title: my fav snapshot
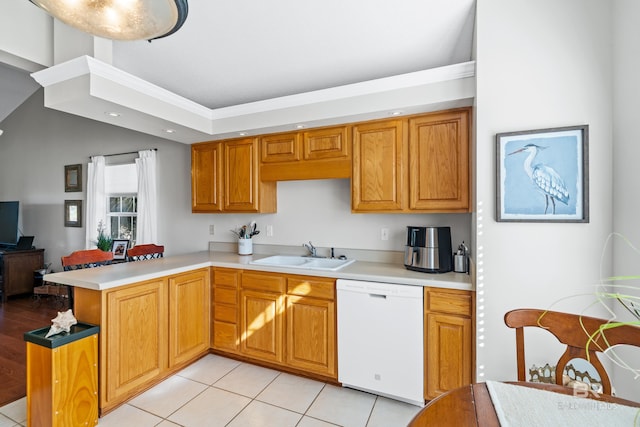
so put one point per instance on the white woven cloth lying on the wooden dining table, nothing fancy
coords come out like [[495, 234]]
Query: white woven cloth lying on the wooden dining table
[[518, 406]]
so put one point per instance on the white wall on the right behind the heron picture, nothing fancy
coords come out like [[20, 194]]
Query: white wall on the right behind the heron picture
[[540, 64]]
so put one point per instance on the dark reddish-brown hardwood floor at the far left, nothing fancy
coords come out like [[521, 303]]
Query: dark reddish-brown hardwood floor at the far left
[[19, 315]]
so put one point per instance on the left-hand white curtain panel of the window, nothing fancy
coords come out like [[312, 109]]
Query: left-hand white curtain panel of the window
[[96, 201]]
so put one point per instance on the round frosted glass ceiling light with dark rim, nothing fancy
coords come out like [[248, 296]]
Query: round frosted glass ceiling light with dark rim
[[120, 19]]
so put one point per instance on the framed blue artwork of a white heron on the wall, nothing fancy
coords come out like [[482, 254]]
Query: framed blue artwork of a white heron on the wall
[[543, 175]]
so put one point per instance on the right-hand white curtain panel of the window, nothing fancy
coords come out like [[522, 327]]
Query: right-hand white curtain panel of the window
[[147, 229]]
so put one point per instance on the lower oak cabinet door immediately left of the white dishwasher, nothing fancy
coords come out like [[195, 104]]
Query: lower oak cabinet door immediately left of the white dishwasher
[[311, 335]]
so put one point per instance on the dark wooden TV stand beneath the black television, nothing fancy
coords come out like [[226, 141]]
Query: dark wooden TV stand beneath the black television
[[17, 271]]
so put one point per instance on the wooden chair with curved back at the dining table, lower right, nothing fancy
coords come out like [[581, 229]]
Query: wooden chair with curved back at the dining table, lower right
[[584, 337]]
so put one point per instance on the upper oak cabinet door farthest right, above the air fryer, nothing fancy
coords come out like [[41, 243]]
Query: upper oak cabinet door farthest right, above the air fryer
[[439, 162]]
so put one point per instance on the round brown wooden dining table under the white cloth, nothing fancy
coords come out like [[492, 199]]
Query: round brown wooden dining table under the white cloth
[[472, 406]]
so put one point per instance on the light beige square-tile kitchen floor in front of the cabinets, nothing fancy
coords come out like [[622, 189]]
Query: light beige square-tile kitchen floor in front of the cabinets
[[216, 391]]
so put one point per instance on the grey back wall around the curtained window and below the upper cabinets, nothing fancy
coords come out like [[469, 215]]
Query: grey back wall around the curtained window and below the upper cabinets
[[38, 142]]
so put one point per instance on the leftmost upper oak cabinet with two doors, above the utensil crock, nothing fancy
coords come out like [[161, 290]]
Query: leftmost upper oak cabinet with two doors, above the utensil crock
[[225, 178]]
